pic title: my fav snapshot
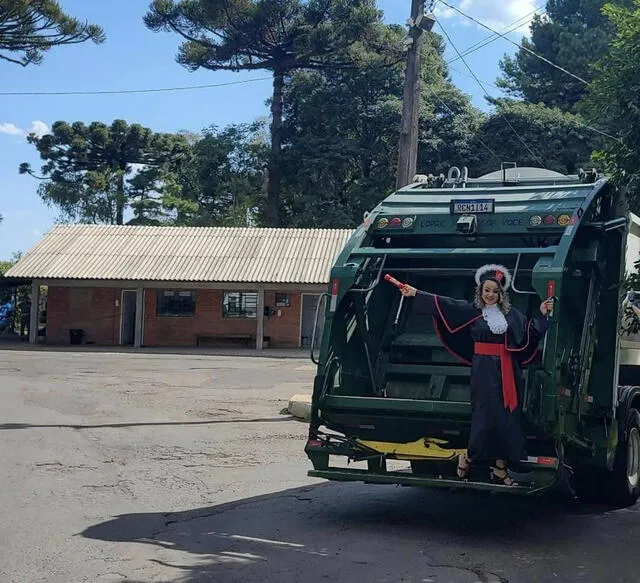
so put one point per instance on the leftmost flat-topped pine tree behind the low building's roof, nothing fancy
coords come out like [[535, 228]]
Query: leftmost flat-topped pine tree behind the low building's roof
[[94, 173]]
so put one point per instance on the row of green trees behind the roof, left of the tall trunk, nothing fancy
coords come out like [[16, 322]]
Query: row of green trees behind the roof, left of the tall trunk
[[106, 174]]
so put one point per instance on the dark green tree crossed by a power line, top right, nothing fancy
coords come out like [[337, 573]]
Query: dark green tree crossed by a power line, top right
[[573, 34]]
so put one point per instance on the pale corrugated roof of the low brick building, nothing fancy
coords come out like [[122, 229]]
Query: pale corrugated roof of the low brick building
[[206, 254]]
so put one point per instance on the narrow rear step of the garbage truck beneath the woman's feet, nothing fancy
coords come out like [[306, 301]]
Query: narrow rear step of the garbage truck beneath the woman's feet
[[408, 479]]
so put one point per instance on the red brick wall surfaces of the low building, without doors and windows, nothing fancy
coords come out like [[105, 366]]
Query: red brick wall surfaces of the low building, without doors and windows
[[94, 310]]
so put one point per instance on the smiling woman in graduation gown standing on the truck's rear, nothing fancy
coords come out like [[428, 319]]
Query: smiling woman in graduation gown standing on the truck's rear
[[496, 339]]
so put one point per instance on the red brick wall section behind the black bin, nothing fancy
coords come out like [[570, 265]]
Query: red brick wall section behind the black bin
[[91, 309]]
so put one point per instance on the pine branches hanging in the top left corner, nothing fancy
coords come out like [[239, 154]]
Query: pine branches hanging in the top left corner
[[28, 28]]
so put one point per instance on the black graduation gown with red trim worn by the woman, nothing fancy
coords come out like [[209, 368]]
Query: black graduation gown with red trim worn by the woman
[[496, 431]]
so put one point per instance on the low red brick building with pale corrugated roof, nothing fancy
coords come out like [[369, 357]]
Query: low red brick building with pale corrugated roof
[[180, 286]]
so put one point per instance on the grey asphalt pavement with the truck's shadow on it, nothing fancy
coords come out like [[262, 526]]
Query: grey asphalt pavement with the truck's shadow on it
[[145, 468]]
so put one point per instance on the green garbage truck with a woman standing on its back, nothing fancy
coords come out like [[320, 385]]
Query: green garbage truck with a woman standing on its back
[[391, 405]]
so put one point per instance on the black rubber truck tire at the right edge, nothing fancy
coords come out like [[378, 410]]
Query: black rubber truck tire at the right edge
[[624, 482]]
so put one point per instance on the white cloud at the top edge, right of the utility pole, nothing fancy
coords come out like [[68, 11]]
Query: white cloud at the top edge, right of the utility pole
[[499, 16]]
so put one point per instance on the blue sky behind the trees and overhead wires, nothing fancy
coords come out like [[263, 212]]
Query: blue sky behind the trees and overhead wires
[[136, 58]]
